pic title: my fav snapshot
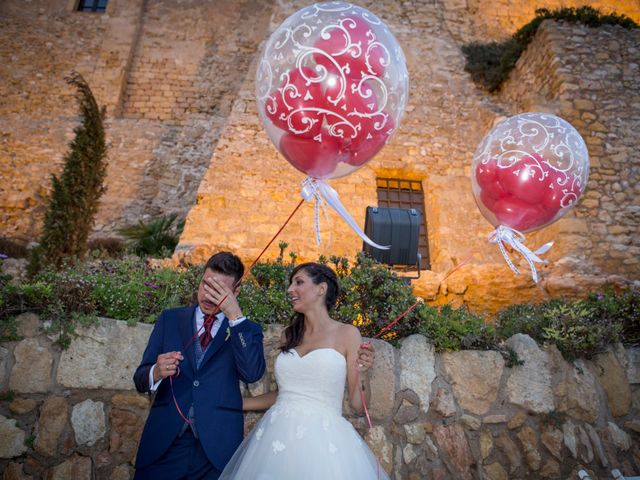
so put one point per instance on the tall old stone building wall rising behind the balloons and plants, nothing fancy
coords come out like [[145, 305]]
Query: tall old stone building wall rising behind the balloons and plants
[[178, 83]]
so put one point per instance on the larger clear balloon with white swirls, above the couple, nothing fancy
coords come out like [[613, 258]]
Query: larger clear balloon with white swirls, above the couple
[[331, 87]]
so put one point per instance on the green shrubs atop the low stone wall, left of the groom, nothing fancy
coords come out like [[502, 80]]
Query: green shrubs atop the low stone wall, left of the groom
[[123, 289]]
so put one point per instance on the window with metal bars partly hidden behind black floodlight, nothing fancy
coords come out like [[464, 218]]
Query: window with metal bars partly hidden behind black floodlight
[[399, 193]]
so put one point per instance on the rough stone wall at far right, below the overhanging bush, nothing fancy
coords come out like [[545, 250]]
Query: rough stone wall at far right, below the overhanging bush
[[603, 102]]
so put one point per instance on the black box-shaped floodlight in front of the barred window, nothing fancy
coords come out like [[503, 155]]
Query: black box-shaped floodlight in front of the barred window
[[397, 227]]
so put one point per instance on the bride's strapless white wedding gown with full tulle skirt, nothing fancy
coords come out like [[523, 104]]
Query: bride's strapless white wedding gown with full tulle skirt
[[303, 435]]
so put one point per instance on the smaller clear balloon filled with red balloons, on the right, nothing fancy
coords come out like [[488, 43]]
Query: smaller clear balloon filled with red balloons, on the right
[[529, 171]]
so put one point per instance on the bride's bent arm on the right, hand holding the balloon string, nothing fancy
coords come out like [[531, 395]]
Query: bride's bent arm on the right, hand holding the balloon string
[[359, 360]]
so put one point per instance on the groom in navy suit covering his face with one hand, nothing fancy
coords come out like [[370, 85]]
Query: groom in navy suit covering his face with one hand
[[201, 374]]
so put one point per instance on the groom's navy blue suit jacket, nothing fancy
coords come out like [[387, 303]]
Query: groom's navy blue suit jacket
[[213, 389]]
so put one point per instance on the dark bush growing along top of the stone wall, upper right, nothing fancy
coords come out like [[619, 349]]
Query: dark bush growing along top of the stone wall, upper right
[[490, 63]]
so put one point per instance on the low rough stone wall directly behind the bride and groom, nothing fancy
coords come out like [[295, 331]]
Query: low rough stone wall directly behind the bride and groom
[[463, 415]]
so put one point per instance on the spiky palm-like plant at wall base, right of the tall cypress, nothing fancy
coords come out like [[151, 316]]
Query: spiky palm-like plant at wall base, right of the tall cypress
[[157, 238]]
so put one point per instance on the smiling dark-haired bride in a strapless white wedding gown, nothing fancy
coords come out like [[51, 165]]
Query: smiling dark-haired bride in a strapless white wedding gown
[[303, 434]]
